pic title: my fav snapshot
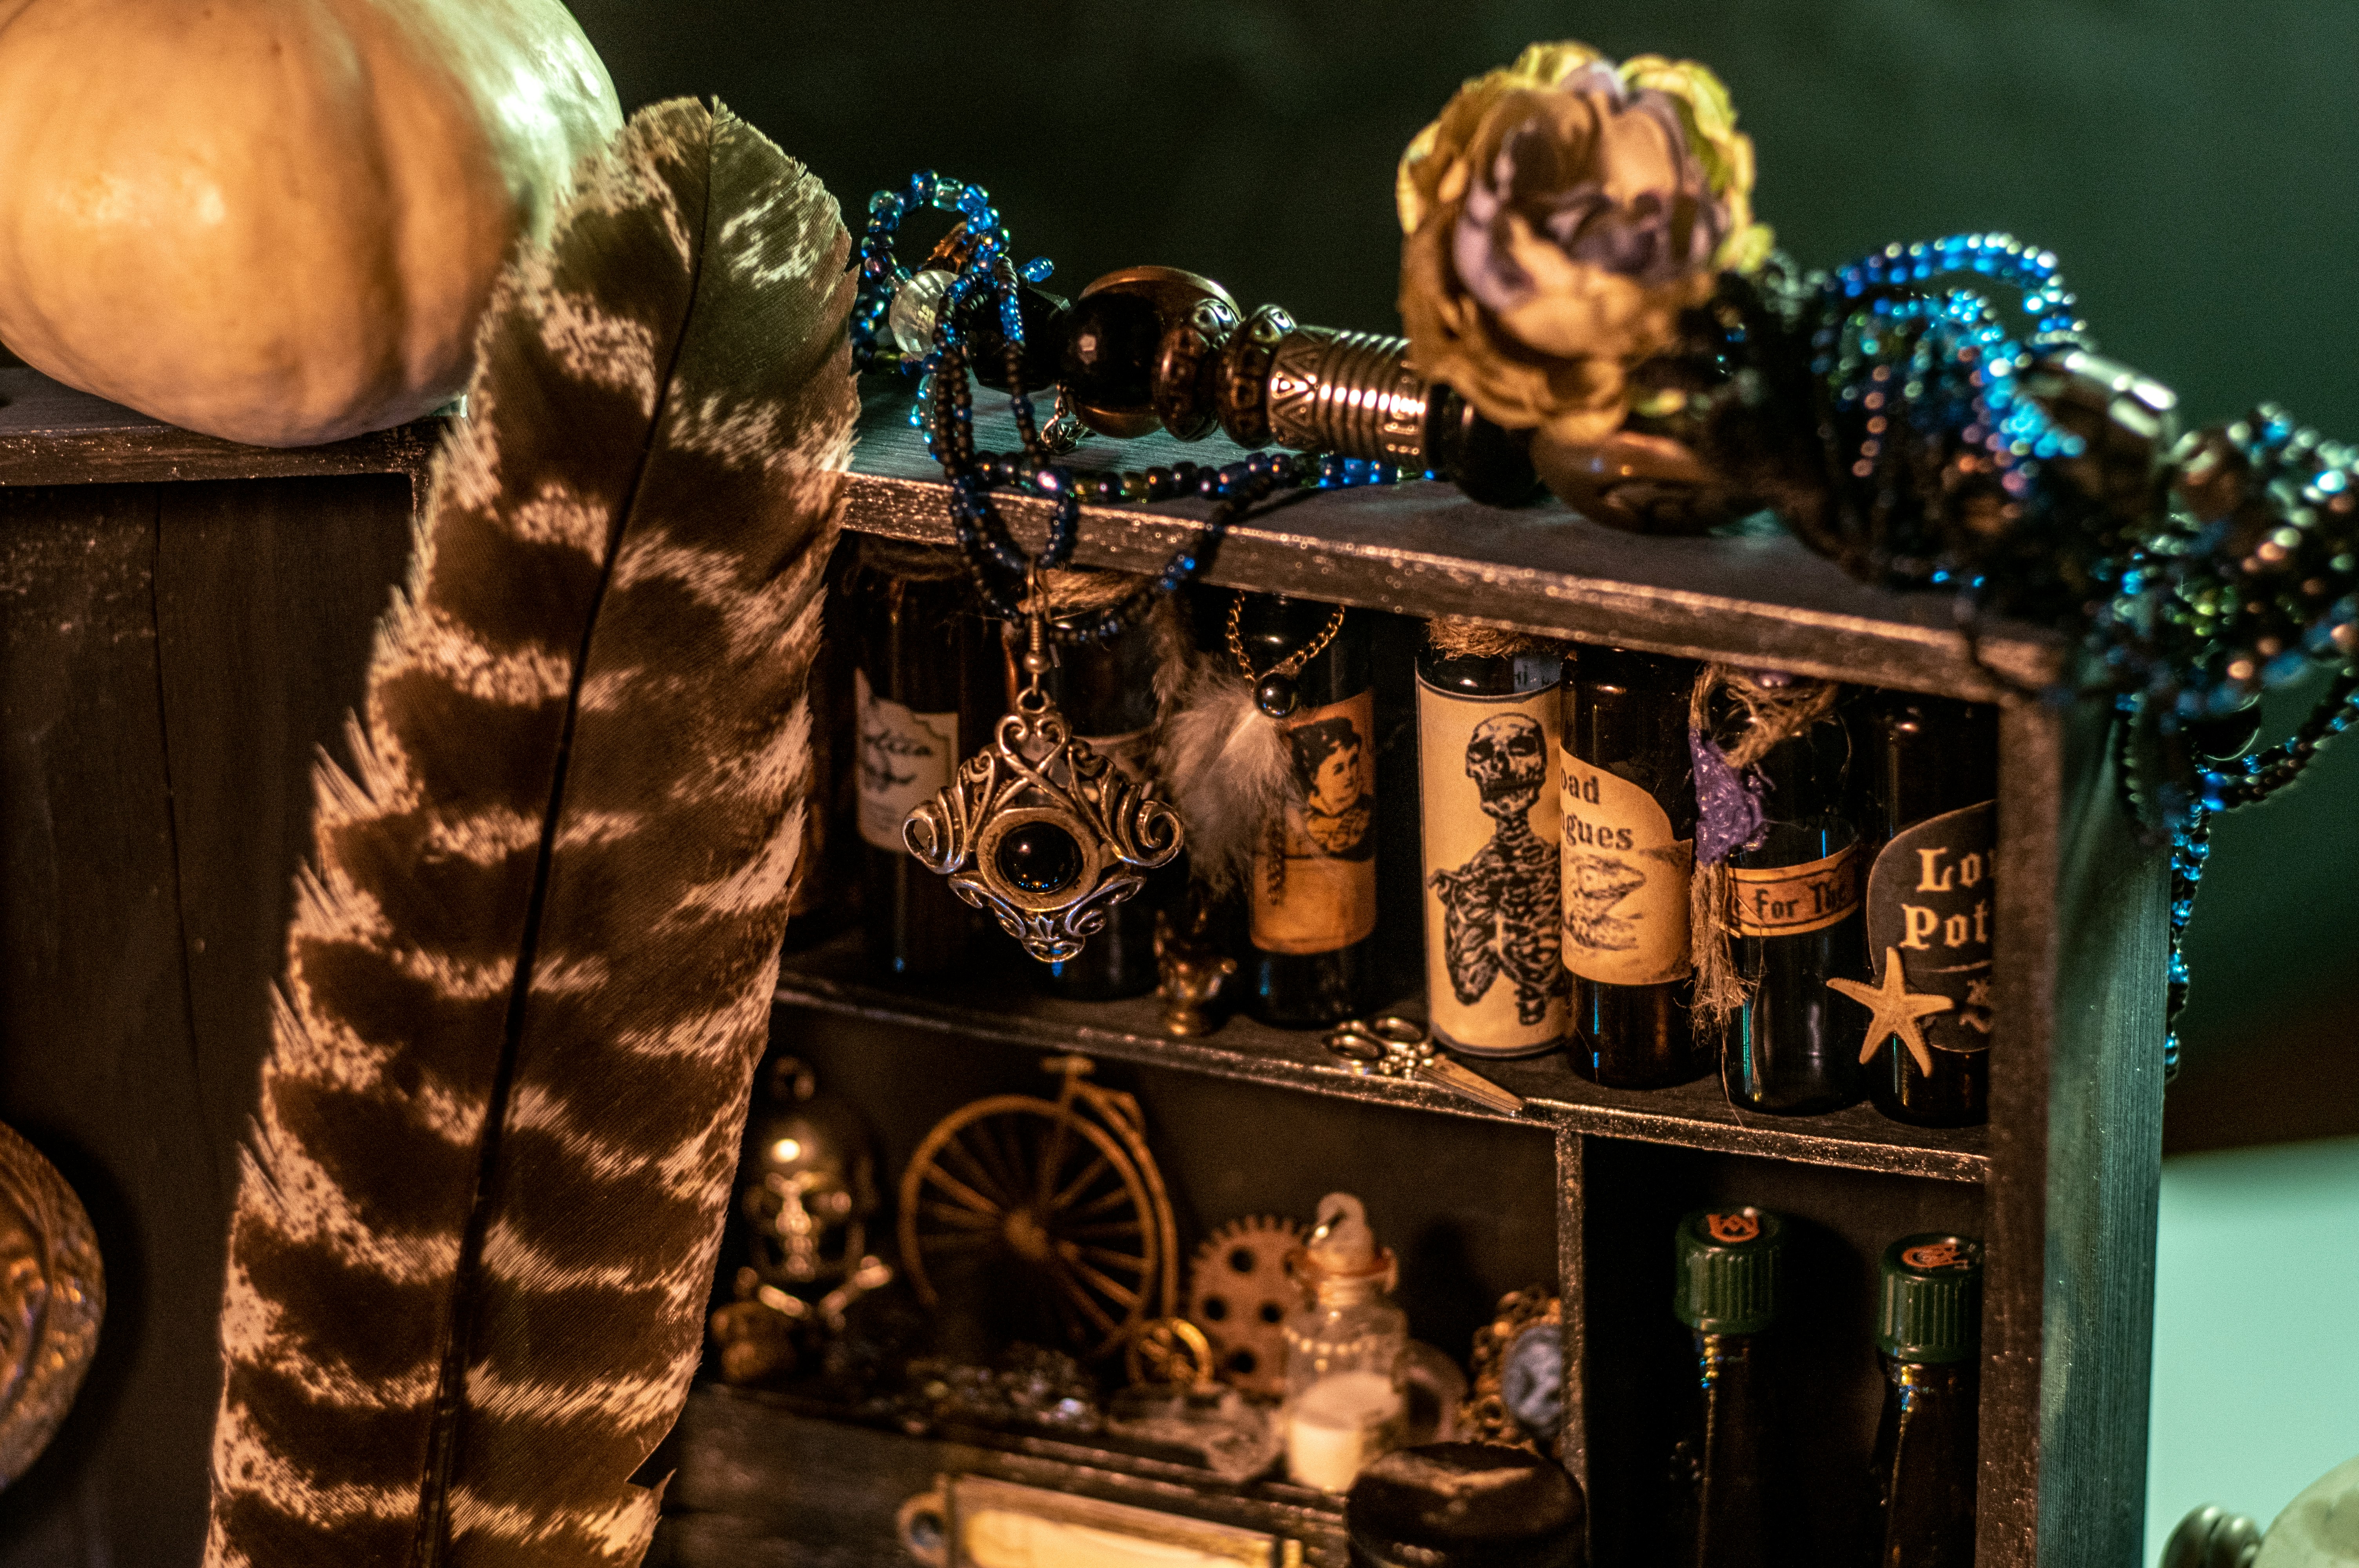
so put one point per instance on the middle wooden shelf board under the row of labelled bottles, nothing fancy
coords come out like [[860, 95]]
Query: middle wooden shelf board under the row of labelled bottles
[[1695, 1116]]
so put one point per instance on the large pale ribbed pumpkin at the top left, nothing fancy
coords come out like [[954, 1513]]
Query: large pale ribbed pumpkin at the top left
[[277, 220]]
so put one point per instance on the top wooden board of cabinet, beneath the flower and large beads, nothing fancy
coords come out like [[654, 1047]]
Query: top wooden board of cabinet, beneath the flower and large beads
[[1428, 551]]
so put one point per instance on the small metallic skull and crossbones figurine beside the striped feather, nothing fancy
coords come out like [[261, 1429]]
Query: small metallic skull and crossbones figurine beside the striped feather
[[810, 1194]]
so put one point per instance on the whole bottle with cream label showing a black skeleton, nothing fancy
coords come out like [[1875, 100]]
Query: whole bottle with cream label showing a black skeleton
[[1487, 791]]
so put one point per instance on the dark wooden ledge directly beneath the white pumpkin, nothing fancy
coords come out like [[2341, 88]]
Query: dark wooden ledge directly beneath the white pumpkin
[[53, 435]]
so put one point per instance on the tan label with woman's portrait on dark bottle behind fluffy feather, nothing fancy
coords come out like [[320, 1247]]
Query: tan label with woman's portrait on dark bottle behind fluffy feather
[[1315, 871]]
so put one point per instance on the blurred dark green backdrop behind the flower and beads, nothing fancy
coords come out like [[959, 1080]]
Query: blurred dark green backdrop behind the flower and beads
[[2190, 164]]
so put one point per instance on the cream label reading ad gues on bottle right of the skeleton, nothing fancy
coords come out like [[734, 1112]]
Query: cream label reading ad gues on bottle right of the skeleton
[[1624, 881]]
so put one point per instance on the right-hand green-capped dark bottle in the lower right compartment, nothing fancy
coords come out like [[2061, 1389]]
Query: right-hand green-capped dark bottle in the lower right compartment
[[1926, 1329]]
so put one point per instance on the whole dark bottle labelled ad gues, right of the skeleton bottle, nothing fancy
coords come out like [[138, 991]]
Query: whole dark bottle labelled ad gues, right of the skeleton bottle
[[1629, 852]]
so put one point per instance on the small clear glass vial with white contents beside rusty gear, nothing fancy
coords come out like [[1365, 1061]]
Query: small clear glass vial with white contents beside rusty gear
[[1343, 1352]]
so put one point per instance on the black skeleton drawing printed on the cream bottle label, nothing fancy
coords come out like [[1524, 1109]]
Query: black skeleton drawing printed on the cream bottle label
[[1502, 907]]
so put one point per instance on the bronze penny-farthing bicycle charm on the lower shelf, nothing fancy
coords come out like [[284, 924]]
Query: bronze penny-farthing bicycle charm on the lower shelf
[[1046, 1213]]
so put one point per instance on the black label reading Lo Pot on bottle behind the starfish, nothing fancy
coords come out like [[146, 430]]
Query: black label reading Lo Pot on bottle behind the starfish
[[1931, 900]]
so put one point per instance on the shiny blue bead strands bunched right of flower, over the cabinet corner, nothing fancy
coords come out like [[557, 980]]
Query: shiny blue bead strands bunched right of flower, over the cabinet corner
[[2252, 577]]
